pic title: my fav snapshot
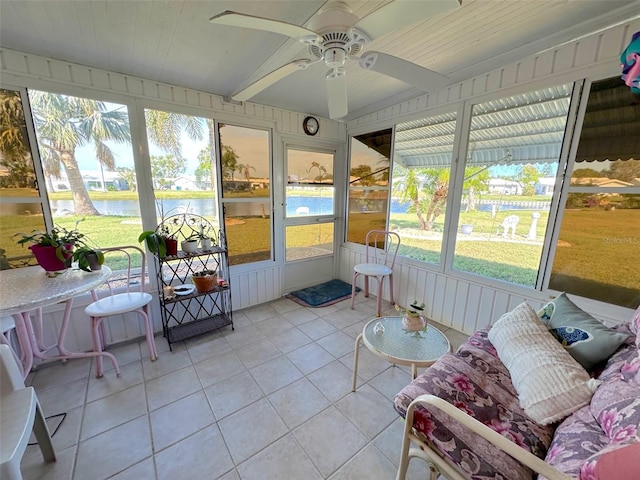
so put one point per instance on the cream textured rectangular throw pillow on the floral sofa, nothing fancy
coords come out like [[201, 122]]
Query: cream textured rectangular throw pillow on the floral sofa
[[550, 383]]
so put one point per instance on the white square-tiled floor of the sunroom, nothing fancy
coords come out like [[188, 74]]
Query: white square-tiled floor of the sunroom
[[270, 400]]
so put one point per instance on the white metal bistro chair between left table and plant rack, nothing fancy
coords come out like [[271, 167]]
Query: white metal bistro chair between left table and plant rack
[[126, 294]]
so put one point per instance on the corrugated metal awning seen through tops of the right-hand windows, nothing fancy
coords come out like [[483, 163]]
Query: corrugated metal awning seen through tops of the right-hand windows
[[528, 129]]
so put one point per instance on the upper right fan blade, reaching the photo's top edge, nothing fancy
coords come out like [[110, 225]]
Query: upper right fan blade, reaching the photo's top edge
[[401, 13]]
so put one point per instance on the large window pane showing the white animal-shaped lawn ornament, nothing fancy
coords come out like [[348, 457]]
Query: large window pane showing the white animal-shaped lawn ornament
[[509, 179]]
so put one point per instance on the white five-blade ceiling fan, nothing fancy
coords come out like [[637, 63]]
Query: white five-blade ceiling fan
[[337, 36]]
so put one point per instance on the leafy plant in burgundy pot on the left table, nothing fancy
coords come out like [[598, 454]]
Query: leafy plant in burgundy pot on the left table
[[53, 250]]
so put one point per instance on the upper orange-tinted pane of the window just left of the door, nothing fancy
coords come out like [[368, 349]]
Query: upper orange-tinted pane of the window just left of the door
[[245, 162]]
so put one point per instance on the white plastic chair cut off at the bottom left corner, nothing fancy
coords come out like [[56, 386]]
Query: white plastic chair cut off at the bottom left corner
[[20, 414]]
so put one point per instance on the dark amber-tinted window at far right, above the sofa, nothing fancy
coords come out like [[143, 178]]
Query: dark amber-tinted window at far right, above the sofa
[[598, 248]]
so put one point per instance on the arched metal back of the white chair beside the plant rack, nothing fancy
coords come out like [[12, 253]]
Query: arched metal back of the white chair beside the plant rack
[[128, 264]]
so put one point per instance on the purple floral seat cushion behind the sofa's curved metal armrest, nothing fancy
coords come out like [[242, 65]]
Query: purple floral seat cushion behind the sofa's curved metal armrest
[[476, 381]]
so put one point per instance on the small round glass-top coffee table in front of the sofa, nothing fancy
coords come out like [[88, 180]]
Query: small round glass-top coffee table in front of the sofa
[[398, 346]]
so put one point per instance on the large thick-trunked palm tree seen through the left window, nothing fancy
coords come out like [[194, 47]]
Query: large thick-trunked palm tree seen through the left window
[[65, 123]]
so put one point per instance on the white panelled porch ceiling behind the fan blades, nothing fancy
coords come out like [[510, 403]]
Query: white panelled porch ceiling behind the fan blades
[[174, 42]]
